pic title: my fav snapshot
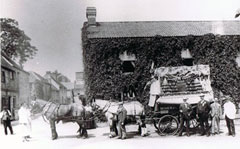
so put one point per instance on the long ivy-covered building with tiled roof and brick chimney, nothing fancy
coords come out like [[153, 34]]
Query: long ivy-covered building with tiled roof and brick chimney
[[118, 56]]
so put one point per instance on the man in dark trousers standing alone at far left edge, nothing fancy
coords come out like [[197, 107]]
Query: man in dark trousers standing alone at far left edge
[[6, 118]]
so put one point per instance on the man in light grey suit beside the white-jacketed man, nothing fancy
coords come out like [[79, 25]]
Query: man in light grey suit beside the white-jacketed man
[[216, 112]]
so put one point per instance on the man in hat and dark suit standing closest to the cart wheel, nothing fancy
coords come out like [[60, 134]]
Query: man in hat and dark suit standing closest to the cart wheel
[[185, 115]]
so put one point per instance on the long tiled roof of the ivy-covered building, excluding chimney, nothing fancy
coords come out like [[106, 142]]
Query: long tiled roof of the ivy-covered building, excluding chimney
[[162, 28]]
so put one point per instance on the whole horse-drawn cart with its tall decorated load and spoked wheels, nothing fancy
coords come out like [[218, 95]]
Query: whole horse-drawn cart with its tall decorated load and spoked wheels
[[177, 83]]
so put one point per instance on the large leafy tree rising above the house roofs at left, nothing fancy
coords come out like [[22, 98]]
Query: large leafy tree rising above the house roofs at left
[[14, 42]]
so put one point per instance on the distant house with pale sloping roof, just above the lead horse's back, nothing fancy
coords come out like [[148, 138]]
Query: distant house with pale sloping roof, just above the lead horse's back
[[58, 90]]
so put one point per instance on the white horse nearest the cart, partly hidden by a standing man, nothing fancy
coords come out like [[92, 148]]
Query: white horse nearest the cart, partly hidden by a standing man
[[134, 109]]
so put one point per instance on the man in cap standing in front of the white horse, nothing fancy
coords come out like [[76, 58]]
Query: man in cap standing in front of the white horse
[[121, 115]]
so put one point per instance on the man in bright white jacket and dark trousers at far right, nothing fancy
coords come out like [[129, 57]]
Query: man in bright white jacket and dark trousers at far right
[[229, 113]]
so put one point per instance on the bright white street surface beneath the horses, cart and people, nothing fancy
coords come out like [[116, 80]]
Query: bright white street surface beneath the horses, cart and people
[[98, 138]]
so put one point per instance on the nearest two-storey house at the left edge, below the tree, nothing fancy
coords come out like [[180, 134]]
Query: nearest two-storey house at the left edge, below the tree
[[14, 85]]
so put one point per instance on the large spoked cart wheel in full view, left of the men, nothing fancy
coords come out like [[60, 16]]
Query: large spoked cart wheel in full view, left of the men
[[168, 125]]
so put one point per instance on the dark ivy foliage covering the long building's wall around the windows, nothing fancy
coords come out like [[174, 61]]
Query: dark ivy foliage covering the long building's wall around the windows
[[102, 64]]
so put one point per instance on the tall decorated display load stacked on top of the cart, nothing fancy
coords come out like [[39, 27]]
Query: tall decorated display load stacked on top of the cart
[[184, 81]]
